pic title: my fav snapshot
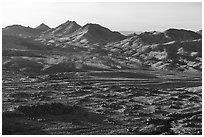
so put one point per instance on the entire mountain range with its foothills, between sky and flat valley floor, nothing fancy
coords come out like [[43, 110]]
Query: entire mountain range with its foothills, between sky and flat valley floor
[[71, 47]]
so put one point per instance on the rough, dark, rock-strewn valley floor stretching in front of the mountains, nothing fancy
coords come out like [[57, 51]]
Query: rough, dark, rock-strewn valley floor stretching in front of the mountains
[[104, 102]]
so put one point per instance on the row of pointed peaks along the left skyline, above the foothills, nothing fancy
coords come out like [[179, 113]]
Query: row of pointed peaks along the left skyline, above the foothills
[[68, 31]]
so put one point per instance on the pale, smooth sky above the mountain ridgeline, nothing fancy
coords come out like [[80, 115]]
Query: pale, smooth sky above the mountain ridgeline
[[118, 16]]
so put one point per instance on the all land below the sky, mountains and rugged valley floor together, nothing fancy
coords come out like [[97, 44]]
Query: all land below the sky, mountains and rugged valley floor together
[[74, 79]]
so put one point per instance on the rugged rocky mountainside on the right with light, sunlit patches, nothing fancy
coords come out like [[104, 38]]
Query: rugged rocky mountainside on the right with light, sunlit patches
[[169, 50]]
